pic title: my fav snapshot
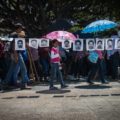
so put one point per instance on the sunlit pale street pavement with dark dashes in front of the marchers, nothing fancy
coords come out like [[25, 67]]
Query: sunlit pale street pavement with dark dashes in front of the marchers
[[79, 101]]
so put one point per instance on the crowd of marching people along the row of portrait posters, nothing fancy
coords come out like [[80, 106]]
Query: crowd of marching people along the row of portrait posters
[[47, 64]]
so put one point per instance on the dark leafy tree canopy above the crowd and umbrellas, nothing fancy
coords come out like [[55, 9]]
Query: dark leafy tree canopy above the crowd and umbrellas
[[37, 15]]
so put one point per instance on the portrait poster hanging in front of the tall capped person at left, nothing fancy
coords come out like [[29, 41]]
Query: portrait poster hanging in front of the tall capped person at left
[[19, 44]]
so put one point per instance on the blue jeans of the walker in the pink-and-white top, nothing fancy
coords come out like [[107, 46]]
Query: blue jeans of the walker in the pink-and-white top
[[56, 74]]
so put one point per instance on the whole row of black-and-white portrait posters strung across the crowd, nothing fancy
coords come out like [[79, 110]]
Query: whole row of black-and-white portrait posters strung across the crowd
[[90, 44]]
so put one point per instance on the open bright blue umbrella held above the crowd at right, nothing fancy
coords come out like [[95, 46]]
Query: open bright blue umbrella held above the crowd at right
[[98, 26]]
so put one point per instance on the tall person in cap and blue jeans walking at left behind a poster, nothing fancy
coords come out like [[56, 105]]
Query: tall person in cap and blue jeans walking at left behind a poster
[[17, 64]]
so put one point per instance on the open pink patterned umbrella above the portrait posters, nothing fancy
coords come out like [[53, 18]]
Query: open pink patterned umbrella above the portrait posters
[[61, 35]]
